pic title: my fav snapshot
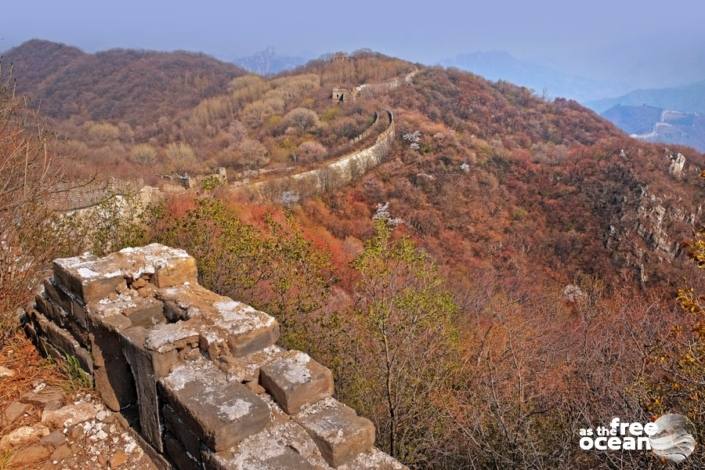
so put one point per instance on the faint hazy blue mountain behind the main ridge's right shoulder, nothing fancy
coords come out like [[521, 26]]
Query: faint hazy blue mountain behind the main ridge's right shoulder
[[500, 65]]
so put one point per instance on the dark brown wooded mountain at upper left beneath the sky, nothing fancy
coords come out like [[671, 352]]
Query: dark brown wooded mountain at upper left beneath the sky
[[121, 85]]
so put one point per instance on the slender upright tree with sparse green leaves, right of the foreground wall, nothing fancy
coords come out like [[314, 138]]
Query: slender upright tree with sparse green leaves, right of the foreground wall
[[404, 344]]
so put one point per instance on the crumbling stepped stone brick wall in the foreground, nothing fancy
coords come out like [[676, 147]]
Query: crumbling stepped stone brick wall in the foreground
[[199, 375]]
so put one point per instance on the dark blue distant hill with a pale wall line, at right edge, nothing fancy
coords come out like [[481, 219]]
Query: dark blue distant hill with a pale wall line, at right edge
[[654, 124]]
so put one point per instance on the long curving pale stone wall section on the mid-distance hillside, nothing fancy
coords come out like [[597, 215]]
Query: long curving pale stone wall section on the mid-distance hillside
[[331, 175]]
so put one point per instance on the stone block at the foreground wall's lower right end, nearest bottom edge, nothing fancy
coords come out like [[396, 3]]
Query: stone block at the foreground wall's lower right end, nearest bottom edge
[[337, 430]]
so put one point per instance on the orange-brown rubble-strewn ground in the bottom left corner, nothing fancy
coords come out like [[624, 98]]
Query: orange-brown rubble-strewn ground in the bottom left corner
[[48, 420]]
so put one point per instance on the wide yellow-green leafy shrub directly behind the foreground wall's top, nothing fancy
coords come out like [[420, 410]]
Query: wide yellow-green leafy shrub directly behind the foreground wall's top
[[272, 268]]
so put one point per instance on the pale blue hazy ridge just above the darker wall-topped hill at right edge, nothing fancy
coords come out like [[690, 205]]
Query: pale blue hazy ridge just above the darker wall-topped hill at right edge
[[687, 98]]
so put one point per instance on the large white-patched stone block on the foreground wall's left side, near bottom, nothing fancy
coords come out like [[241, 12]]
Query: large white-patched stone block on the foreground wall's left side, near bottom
[[220, 412]]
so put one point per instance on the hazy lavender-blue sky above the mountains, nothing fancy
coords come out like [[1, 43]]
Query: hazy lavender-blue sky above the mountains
[[644, 42]]
